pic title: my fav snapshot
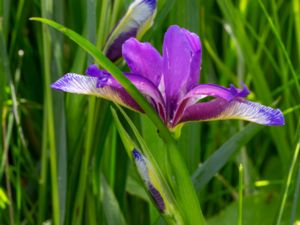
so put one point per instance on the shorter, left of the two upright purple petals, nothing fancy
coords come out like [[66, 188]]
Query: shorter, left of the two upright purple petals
[[143, 59]]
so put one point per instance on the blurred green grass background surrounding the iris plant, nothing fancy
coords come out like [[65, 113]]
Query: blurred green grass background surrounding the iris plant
[[61, 157]]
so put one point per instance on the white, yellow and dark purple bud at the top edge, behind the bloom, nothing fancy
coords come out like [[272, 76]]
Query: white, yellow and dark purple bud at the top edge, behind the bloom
[[137, 20]]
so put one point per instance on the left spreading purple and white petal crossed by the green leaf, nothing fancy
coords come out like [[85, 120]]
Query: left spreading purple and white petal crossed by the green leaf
[[107, 87]]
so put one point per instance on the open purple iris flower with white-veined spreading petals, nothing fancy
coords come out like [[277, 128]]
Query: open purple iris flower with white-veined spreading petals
[[170, 84]]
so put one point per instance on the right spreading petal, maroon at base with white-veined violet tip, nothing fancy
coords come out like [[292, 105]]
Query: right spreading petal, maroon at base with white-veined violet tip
[[238, 108]]
